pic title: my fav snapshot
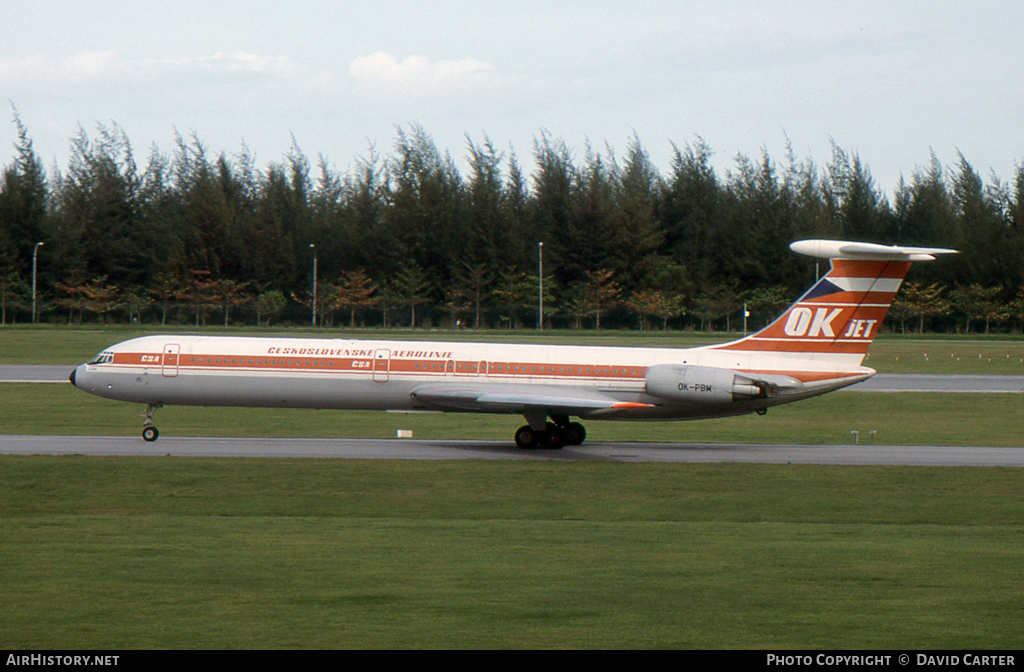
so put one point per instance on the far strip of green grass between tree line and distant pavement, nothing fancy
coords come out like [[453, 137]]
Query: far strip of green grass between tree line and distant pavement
[[891, 354]]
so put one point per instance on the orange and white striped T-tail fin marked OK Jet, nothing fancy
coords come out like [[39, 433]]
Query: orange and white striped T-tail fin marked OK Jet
[[839, 317]]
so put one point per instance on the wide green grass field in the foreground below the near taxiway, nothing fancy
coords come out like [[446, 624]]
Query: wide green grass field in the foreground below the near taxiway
[[158, 553]]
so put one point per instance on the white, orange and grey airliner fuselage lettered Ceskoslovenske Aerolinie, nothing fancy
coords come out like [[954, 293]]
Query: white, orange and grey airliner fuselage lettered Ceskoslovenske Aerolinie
[[385, 375]]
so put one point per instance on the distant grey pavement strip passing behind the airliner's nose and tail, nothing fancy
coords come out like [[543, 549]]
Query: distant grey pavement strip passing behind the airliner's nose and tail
[[882, 383]]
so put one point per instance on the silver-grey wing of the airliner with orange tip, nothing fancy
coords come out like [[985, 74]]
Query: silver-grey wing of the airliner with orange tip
[[552, 400]]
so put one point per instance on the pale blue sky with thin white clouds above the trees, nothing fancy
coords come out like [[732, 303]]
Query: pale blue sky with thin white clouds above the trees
[[892, 82]]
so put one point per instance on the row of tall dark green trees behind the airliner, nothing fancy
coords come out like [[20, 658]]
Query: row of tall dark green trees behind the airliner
[[406, 239]]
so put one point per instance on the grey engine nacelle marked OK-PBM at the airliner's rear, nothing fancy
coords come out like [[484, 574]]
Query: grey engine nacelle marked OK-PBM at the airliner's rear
[[704, 385]]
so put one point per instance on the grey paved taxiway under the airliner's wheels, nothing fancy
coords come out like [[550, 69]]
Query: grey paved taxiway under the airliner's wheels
[[478, 450]]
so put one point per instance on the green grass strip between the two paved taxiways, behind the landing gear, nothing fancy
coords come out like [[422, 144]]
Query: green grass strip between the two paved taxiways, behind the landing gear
[[934, 419]]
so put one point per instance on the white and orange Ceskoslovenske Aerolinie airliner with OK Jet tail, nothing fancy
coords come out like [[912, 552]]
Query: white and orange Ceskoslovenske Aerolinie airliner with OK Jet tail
[[816, 347]]
